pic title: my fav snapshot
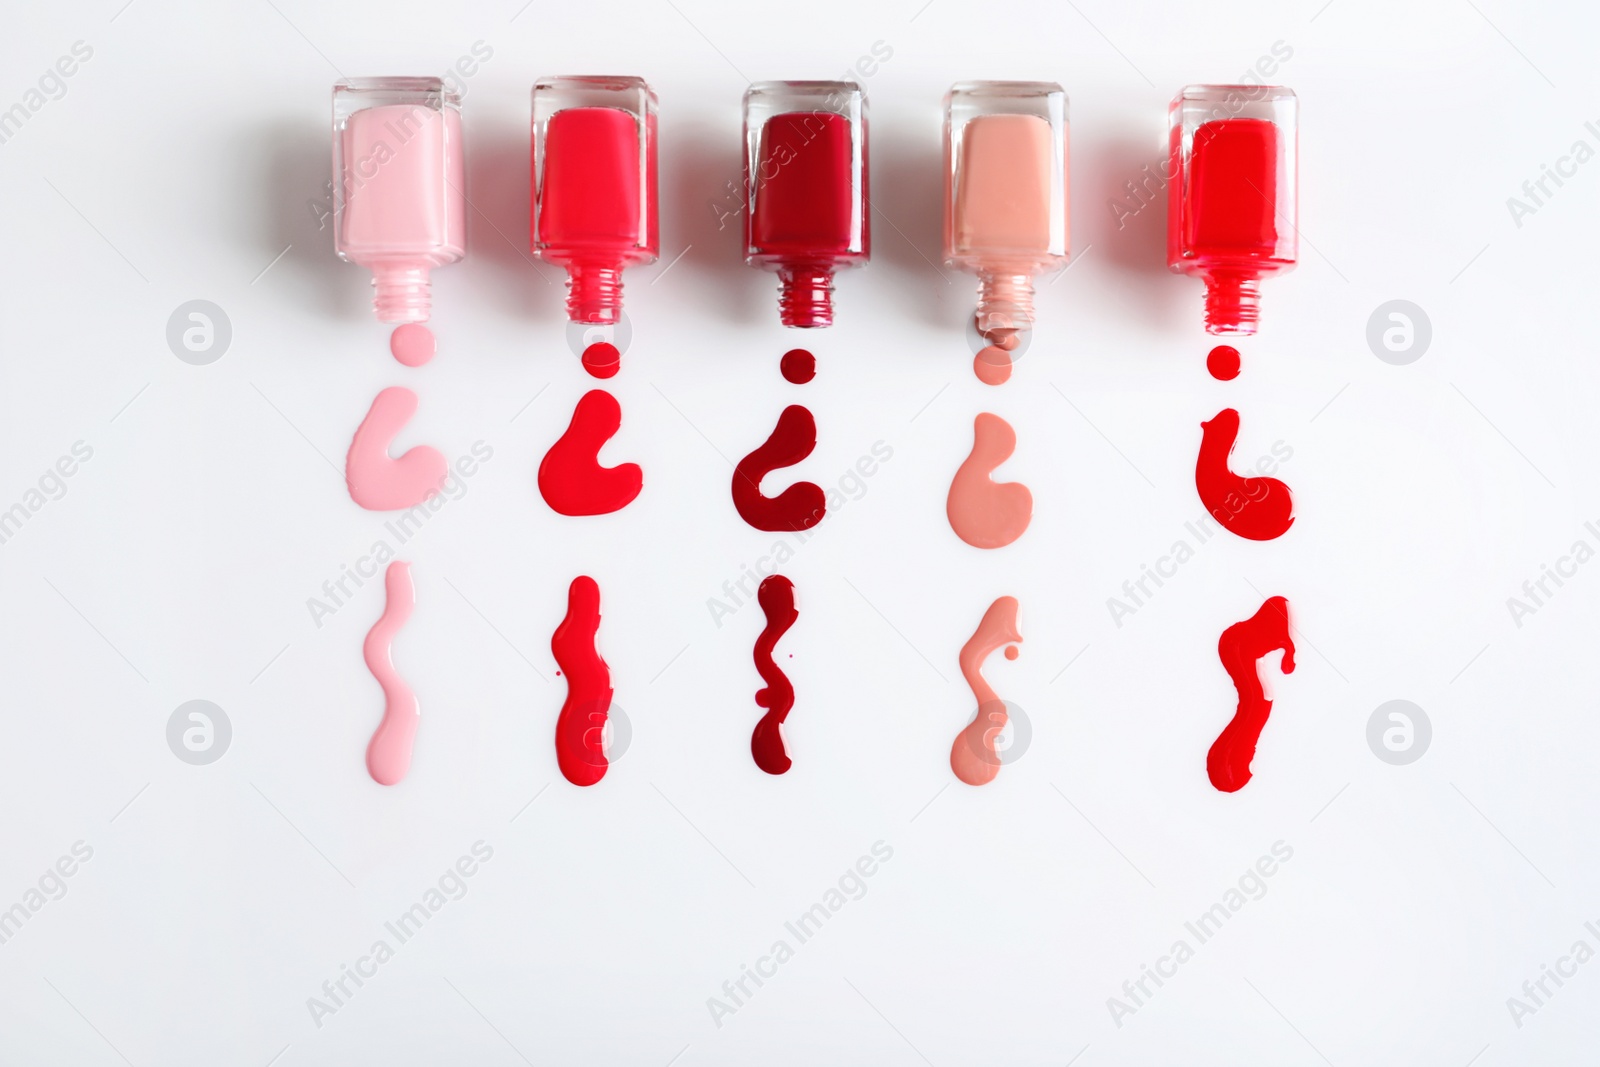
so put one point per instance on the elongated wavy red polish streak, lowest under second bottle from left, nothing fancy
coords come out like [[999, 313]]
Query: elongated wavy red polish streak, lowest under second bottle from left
[[580, 730]]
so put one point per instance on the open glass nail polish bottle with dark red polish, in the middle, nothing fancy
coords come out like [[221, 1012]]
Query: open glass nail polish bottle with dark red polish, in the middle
[[806, 180]]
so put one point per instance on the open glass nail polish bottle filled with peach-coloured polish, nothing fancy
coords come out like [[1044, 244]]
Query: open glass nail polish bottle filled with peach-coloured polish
[[1006, 194]]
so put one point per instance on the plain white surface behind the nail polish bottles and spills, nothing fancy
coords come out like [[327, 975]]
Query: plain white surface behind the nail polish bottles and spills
[[193, 150]]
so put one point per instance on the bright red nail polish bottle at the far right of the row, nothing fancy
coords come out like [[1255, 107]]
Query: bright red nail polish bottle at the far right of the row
[[1231, 202]]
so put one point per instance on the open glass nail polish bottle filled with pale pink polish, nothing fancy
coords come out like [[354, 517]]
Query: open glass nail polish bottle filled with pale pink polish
[[399, 178]]
